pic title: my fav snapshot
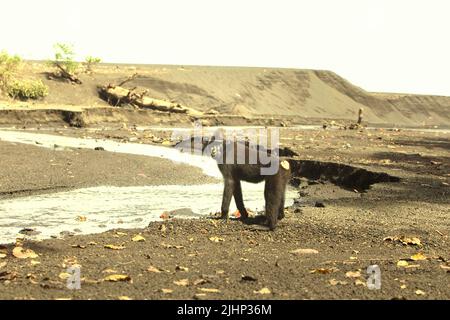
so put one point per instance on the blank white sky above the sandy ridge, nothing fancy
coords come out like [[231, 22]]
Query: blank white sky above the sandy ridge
[[380, 45]]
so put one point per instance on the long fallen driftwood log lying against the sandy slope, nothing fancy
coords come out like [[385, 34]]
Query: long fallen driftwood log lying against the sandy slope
[[117, 95]]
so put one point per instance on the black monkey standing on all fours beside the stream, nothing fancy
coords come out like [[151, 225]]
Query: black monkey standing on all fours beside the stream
[[233, 171]]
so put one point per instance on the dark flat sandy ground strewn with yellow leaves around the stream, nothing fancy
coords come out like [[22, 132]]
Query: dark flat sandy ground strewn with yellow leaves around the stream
[[212, 259]]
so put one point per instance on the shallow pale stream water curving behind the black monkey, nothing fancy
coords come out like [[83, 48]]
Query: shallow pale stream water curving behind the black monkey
[[114, 207]]
